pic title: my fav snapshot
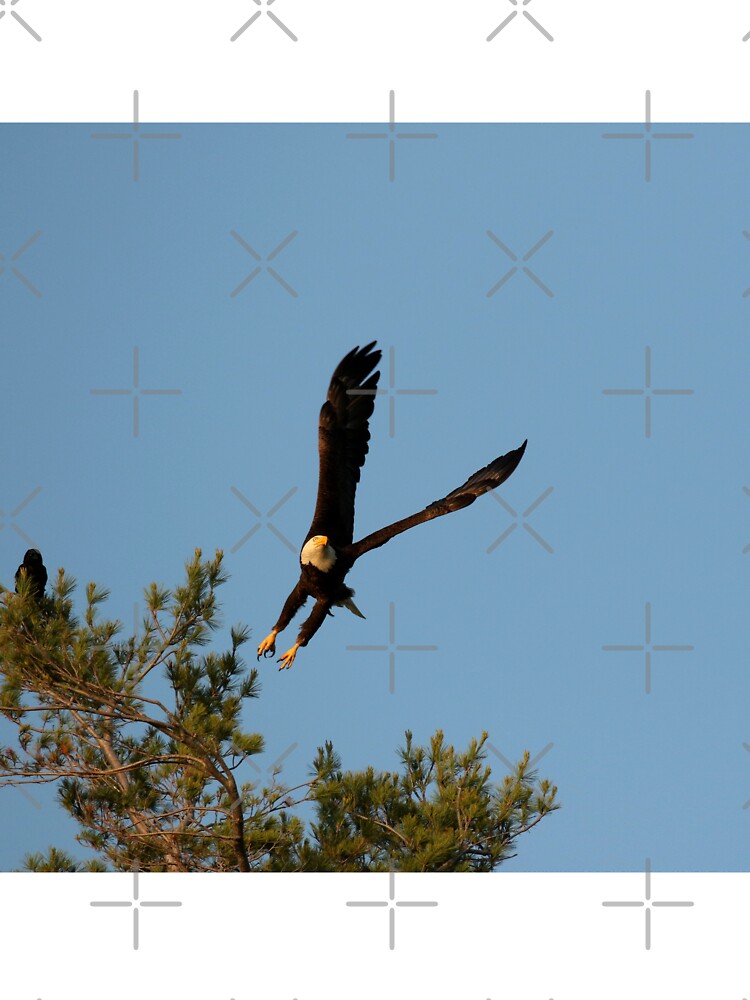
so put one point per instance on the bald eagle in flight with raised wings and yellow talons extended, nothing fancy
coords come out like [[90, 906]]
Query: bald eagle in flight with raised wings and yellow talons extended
[[329, 551]]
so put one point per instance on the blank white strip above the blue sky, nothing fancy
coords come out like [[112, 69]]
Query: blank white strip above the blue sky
[[350, 53]]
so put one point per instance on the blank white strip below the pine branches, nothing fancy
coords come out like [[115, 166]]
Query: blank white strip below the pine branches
[[259, 937]]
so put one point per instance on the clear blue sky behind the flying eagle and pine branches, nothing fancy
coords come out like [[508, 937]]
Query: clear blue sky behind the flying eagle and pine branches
[[631, 520]]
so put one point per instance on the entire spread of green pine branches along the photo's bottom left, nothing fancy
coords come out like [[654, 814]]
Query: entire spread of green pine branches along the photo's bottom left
[[152, 781]]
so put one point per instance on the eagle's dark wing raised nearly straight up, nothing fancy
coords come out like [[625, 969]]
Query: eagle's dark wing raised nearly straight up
[[343, 436]]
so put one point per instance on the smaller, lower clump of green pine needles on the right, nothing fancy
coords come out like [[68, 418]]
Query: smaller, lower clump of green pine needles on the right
[[439, 813]]
